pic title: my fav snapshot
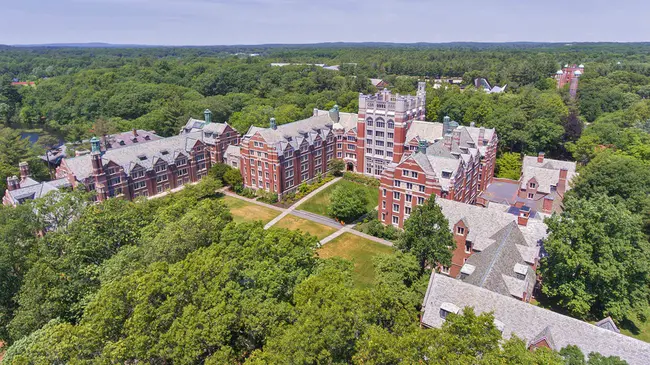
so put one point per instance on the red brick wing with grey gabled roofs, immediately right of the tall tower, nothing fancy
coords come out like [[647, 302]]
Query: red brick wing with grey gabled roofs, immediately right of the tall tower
[[456, 166]]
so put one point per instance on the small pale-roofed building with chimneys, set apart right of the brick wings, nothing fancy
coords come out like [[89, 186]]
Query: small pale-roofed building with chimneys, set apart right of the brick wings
[[542, 186]]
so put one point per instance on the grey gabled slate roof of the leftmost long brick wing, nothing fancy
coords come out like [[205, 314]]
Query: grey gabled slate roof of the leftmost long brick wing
[[166, 149]]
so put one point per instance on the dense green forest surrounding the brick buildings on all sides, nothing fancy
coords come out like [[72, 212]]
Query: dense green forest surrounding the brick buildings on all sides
[[174, 280]]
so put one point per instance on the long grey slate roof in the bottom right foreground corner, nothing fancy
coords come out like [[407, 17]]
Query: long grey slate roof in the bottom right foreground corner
[[528, 321]]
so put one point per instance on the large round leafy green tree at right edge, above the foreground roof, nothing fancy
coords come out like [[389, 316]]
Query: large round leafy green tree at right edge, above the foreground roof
[[588, 270]]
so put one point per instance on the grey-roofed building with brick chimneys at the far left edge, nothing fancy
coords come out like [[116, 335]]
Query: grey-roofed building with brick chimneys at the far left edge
[[24, 188]]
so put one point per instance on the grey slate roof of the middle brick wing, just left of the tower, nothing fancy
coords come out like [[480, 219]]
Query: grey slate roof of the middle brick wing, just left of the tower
[[295, 133]]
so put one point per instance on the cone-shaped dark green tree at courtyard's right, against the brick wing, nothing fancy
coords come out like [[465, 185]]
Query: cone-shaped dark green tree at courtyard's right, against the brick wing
[[427, 235]]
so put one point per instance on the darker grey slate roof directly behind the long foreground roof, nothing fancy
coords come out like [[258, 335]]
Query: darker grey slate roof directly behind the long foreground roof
[[495, 268]]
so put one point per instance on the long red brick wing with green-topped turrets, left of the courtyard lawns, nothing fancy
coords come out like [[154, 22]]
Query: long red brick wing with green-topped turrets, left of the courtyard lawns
[[151, 168]]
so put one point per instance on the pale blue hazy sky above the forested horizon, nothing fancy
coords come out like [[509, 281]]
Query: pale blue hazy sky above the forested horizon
[[215, 22]]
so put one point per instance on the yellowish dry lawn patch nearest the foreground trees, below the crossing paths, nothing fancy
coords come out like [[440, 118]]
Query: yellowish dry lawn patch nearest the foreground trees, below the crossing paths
[[358, 250]]
